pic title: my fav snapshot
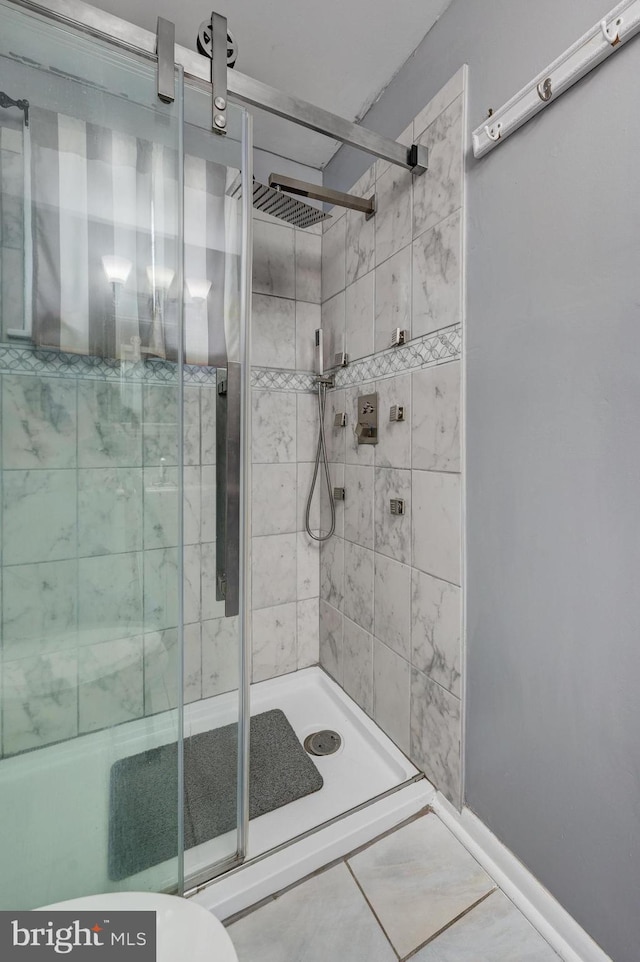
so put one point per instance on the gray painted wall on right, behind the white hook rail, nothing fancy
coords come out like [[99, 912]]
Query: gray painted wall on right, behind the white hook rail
[[553, 428]]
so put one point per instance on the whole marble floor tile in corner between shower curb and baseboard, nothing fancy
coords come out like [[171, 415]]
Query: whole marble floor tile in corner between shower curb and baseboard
[[417, 880]]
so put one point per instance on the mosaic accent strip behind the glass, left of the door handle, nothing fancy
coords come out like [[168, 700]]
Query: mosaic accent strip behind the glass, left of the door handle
[[27, 360]]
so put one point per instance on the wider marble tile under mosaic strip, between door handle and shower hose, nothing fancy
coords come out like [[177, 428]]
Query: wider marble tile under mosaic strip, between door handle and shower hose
[[273, 432]]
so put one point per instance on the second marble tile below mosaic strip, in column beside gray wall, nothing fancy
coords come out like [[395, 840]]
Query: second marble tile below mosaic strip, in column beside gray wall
[[436, 524]]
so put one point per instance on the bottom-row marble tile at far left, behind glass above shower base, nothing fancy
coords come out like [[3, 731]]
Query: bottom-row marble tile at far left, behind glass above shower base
[[40, 701]]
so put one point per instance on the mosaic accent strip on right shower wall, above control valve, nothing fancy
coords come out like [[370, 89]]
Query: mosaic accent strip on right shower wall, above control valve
[[444, 345]]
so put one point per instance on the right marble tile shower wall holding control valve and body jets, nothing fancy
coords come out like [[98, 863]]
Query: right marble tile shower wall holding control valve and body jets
[[390, 586]]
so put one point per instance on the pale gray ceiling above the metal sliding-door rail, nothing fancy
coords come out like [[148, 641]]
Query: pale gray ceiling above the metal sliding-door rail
[[336, 54]]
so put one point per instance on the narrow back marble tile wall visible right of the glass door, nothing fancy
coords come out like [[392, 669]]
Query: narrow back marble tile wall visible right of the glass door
[[285, 561]]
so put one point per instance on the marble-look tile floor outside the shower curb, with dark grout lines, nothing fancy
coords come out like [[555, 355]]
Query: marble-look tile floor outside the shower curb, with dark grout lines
[[413, 894]]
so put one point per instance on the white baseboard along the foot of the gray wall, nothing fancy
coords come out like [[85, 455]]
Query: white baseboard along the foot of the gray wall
[[545, 913]]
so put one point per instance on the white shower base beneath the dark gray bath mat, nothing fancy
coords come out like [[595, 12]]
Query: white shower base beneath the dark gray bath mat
[[55, 801]]
